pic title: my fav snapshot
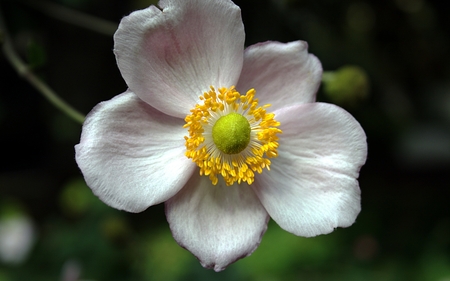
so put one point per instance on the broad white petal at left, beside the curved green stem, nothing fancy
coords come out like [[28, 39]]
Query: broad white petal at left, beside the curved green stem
[[131, 155]]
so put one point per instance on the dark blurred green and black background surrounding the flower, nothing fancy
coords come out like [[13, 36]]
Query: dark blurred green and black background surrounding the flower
[[386, 61]]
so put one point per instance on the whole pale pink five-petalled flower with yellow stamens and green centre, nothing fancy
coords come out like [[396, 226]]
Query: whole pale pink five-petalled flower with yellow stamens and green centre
[[226, 137]]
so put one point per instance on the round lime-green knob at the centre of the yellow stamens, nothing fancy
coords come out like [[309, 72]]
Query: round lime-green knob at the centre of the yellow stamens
[[231, 133]]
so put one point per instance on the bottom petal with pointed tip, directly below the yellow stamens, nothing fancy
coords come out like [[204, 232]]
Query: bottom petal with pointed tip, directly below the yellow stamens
[[218, 224]]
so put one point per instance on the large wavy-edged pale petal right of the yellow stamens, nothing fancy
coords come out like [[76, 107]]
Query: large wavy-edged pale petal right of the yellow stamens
[[312, 186]]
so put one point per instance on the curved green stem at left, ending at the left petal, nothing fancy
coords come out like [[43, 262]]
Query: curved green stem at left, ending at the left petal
[[24, 71]]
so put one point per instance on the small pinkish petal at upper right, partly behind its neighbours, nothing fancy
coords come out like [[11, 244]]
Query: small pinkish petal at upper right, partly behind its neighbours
[[281, 73]]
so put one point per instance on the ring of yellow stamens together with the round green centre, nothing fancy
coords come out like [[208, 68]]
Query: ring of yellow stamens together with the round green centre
[[231, 136]]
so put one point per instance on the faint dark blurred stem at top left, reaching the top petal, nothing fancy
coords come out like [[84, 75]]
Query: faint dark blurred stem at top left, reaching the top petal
[[73, 17]]
